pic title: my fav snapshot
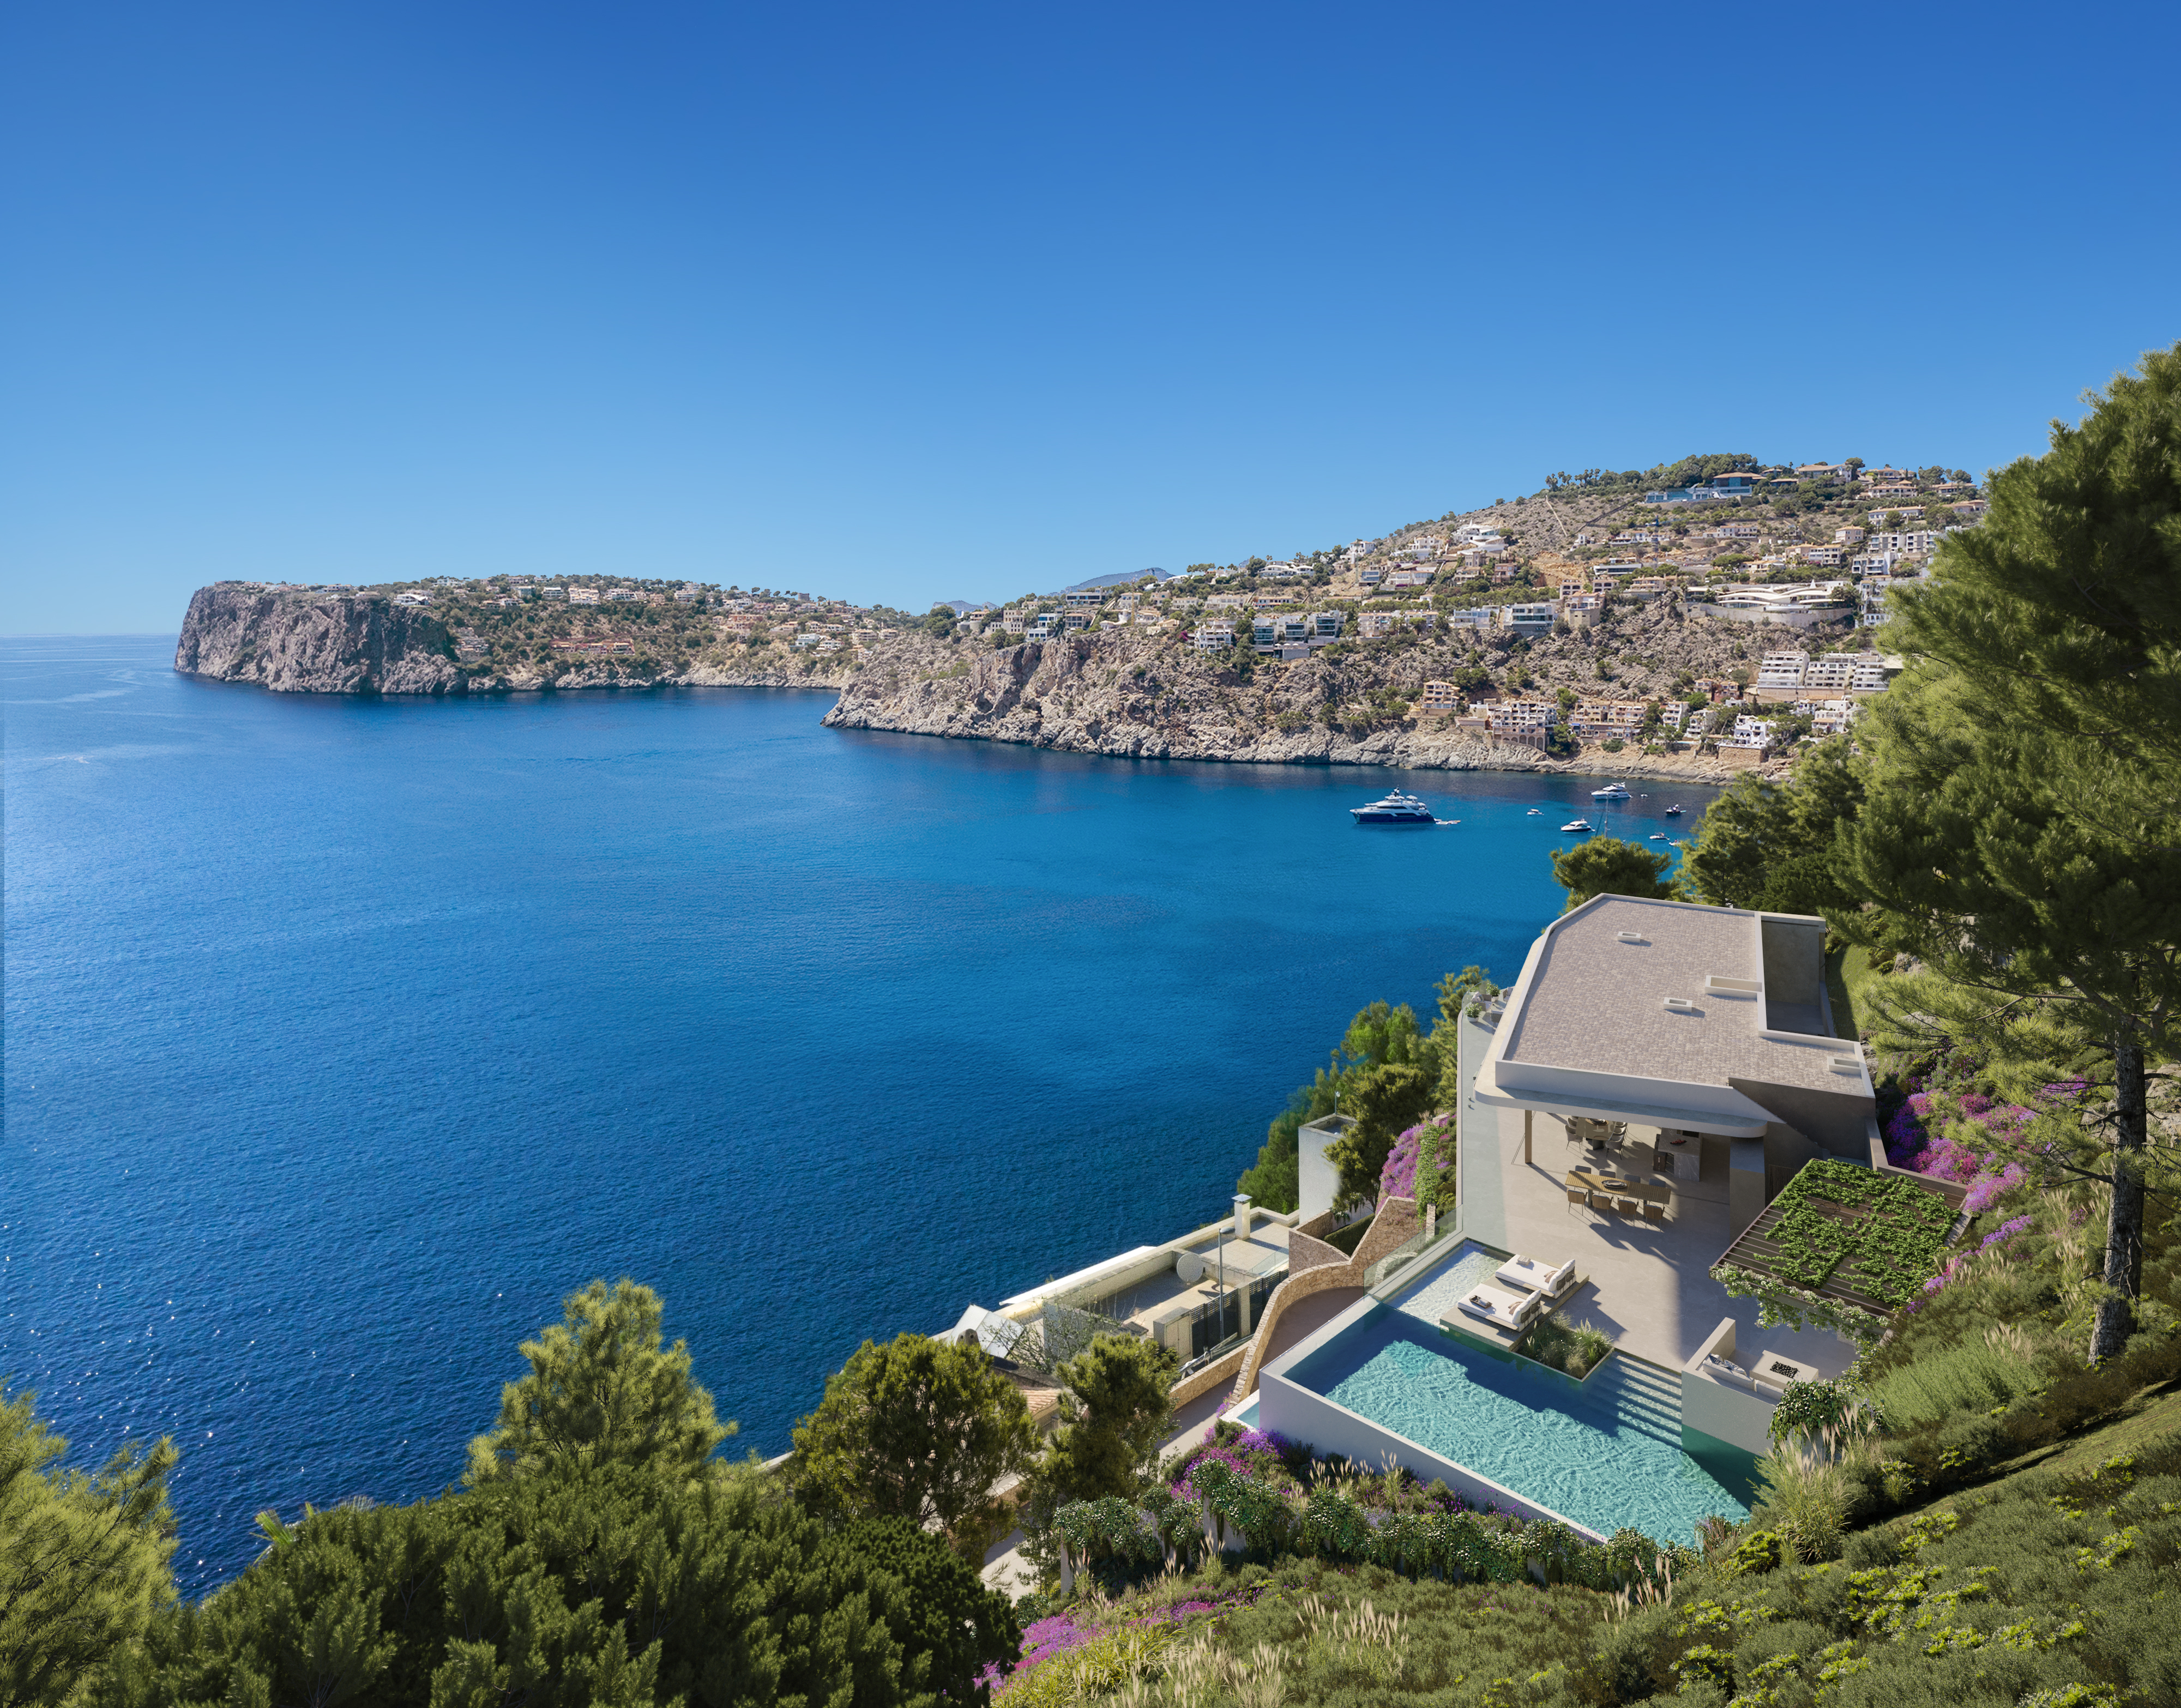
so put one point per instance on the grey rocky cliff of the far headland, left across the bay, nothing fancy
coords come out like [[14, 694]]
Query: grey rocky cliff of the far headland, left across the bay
[[304, 642]]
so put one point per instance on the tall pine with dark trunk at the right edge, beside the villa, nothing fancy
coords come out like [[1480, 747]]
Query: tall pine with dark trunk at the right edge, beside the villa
[[2021, 832]]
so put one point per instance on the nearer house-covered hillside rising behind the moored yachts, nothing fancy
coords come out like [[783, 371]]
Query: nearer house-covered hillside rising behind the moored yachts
[[1608, 623]]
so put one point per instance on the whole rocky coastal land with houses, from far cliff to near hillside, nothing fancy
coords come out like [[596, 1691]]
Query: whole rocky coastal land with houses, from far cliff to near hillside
[[1696, 618]]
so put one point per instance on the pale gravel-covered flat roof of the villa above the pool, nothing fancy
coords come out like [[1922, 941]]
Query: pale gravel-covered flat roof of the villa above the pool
[[1593, 1002]]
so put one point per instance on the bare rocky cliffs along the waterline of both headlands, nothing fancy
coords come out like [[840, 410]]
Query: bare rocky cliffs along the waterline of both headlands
[[1124, 693]]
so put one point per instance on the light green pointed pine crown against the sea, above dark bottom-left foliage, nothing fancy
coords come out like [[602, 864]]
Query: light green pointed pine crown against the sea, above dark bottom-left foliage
[[603, 1388]]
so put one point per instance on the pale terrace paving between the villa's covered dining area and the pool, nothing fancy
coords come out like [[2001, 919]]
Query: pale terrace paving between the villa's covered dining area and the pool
[[1650, 1284]]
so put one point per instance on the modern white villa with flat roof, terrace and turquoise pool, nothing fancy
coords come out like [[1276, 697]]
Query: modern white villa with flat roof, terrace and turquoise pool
[[1630, 1109]]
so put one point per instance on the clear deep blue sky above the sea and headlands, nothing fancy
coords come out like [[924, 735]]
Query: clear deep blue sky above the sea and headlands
[[917, 302]]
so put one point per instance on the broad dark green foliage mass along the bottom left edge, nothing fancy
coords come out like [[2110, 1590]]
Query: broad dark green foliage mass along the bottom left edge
[[564, 1587]]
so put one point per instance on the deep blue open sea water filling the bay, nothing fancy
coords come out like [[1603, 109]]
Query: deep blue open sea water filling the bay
[[346, 1037]]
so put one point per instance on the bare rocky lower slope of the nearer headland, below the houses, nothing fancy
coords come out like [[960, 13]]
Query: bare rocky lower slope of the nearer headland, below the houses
[[1144, 693]]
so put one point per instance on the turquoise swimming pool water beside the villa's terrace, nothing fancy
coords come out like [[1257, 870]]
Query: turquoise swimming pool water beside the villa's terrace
[[1606, 1454]]
